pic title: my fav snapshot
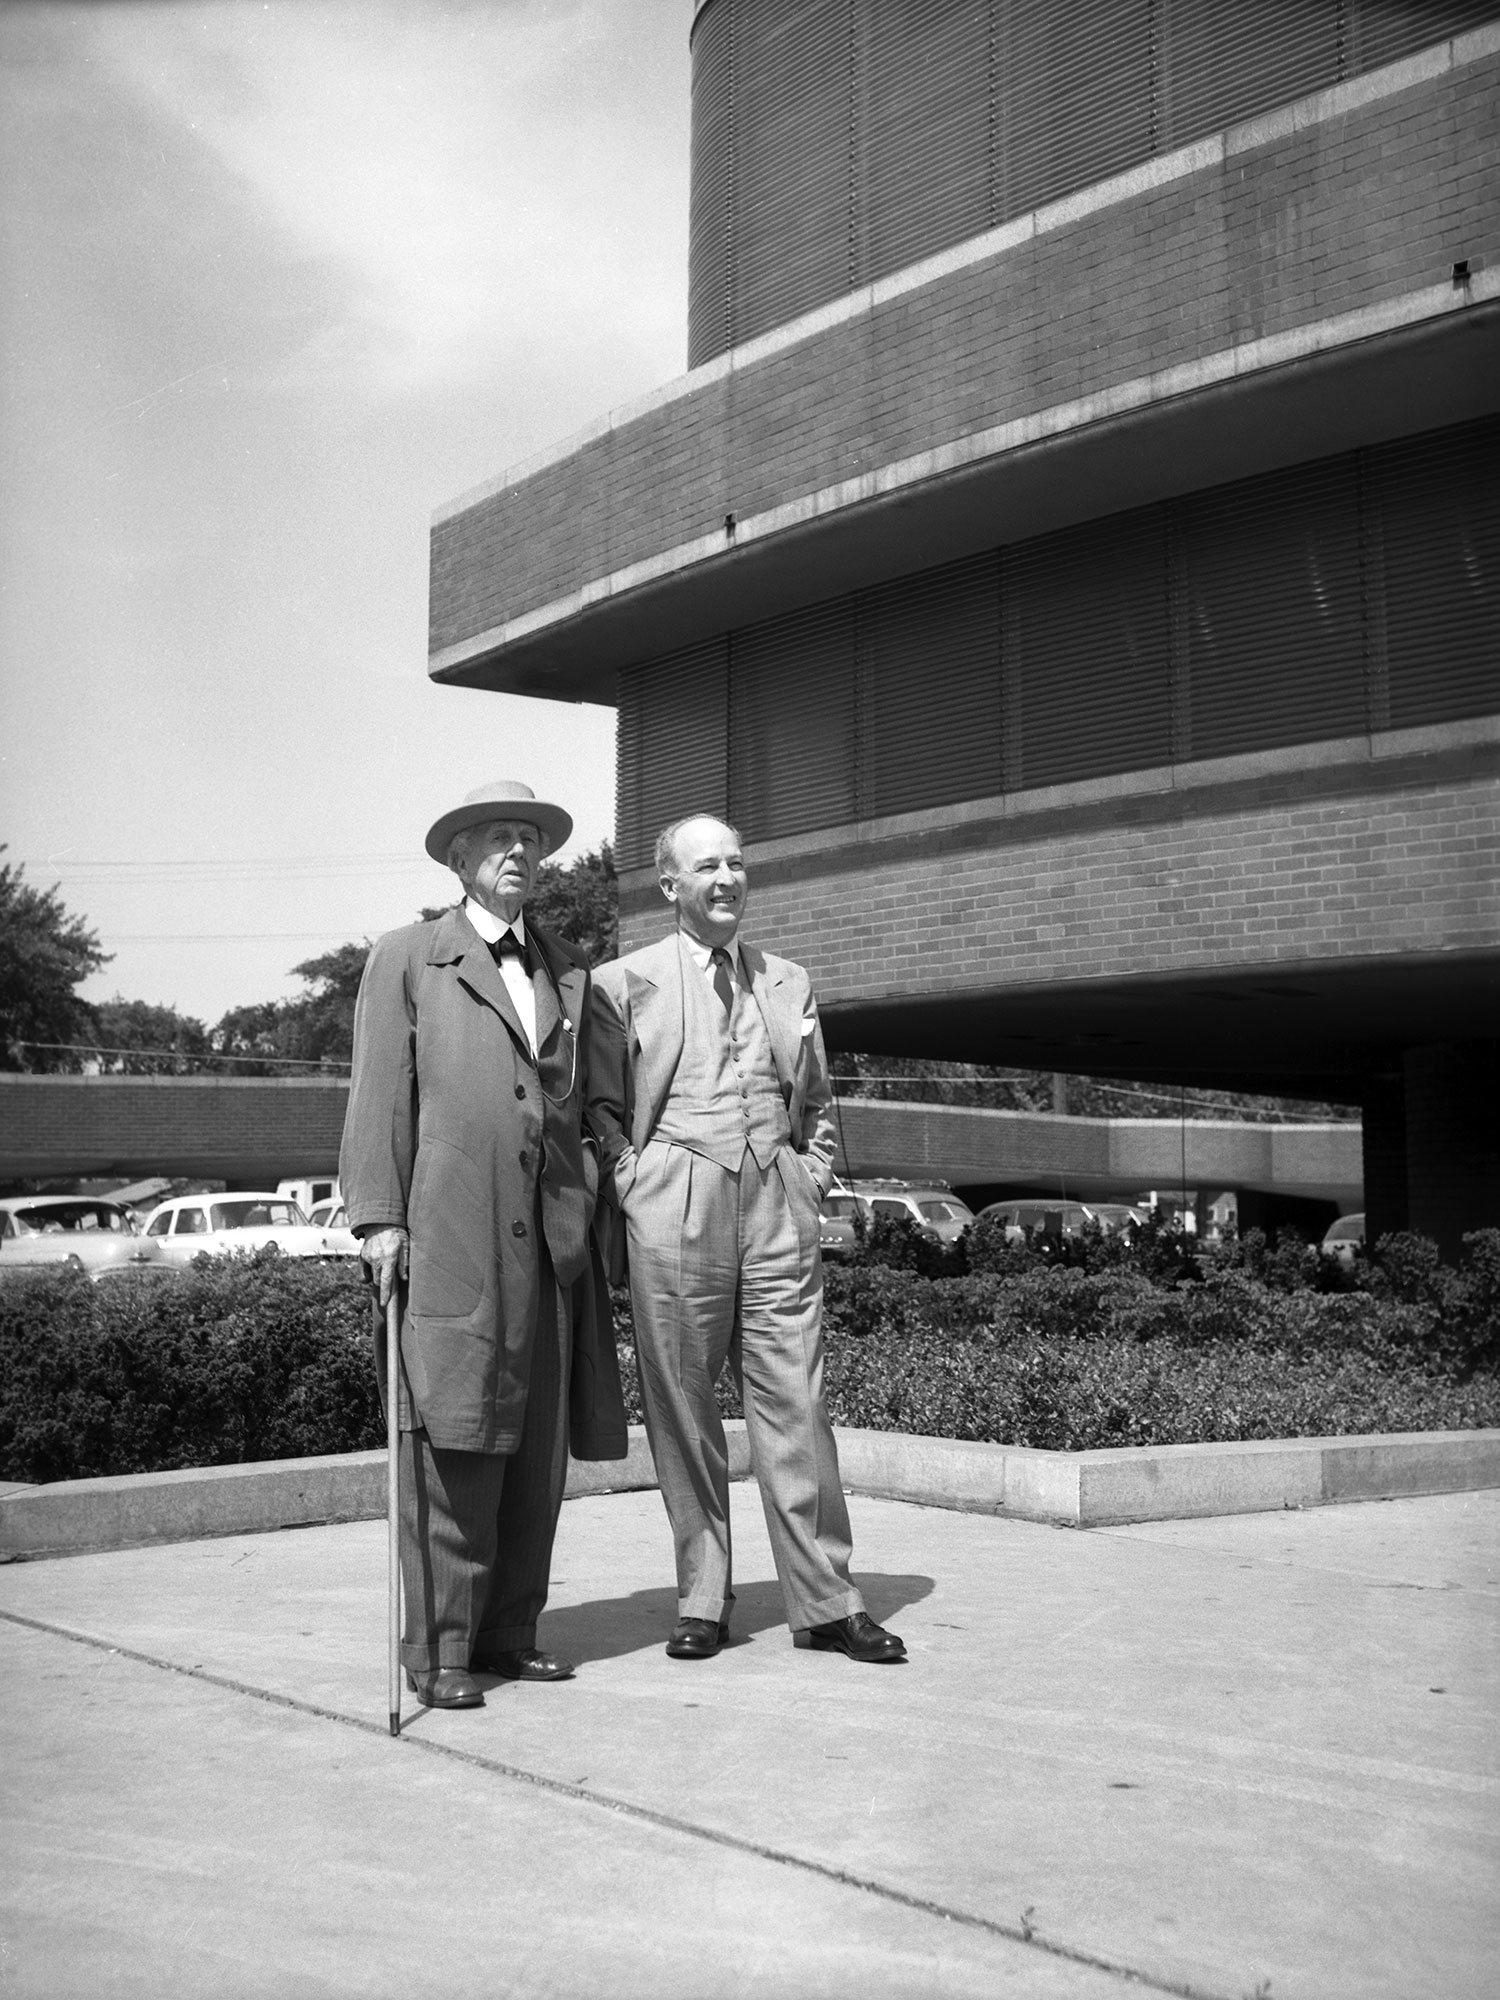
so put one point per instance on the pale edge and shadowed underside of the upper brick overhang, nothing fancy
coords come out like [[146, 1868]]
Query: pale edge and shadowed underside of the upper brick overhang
[[1383, 375]]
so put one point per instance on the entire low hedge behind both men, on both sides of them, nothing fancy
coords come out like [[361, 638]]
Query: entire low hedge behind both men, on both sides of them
[[271, 1359]]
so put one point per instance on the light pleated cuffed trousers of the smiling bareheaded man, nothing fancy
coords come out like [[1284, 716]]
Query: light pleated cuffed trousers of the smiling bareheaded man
[[729, 1267]]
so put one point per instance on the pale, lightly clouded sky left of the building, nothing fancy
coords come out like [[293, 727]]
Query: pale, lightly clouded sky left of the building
[[277, 281]]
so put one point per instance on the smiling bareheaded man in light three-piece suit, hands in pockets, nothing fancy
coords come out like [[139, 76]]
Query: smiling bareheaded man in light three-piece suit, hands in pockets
[[711, 1109]]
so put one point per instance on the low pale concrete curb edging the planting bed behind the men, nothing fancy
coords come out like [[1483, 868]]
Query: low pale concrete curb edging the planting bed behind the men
[[1067, 1489]]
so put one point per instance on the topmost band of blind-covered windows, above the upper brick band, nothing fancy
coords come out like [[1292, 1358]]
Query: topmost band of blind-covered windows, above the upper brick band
[[839, 141]]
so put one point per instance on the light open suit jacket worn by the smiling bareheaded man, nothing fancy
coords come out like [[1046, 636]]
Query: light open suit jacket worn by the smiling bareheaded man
[[637, 1043]]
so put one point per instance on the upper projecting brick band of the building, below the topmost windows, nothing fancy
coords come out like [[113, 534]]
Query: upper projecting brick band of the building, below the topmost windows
[[1299, 221]]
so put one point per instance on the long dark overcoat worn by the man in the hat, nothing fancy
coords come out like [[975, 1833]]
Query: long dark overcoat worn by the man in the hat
[[451, 1131]]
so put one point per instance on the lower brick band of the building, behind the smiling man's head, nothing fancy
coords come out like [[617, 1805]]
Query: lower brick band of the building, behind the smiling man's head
[[1279, 879]]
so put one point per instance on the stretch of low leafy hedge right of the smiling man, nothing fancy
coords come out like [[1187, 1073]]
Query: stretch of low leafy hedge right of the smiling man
[[1079, 1361]]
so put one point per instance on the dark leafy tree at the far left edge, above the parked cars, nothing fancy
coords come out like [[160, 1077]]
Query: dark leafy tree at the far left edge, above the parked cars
[[45, 955]]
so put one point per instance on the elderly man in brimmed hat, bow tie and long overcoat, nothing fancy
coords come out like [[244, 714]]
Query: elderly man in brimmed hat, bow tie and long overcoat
[[473, 1189]]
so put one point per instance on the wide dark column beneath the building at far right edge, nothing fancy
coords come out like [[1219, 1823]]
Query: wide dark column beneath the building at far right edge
[[1453, 1141]]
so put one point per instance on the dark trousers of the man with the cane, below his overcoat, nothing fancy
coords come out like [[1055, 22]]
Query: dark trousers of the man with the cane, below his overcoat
[[479, 1527]]
